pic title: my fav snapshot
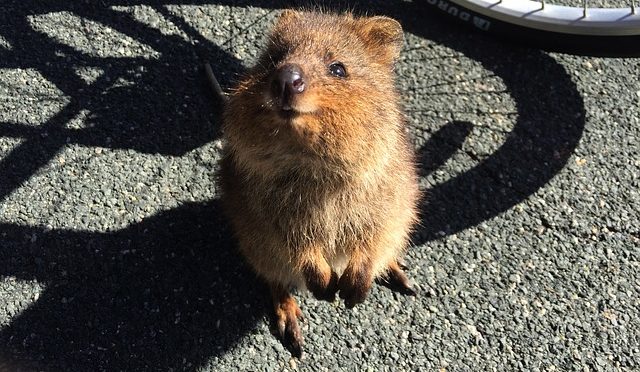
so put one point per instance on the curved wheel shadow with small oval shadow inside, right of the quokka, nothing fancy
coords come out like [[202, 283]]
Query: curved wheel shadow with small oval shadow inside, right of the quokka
[[549, 125]]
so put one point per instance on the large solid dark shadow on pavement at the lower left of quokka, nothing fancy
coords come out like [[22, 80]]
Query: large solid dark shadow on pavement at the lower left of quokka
[[167, 293]]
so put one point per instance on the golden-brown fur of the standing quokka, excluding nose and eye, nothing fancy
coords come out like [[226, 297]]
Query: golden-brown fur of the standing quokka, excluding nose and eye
[[326, 197]]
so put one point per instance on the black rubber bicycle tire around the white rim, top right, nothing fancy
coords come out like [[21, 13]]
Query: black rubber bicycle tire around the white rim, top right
[[565, 42]]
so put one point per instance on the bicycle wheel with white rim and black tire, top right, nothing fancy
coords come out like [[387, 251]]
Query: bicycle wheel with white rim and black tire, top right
[[583, 30]]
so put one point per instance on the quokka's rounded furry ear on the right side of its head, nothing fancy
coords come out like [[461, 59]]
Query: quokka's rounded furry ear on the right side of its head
[[383, 35]]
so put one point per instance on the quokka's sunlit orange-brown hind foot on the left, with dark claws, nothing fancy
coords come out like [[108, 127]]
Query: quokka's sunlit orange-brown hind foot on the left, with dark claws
[[287, 314]]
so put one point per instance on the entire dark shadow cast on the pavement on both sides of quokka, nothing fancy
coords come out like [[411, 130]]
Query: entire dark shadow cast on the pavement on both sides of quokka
[[149, 297]]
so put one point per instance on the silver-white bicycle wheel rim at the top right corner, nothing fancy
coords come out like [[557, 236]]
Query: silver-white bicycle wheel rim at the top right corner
[[558, 18]]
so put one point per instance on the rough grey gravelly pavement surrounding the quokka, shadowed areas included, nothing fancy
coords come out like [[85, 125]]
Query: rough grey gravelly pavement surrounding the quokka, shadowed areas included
[[114, 255]]
